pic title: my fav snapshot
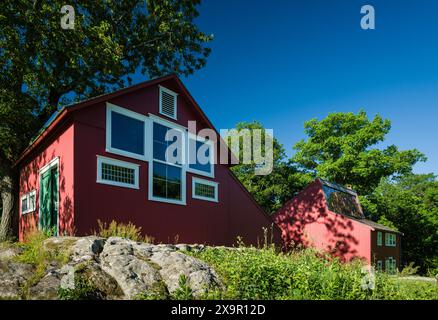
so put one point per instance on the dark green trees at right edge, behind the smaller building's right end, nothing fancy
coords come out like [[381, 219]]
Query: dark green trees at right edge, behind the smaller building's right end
[[410, 203]]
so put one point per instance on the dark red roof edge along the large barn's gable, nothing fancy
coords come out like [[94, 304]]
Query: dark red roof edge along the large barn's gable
[[65, 111]]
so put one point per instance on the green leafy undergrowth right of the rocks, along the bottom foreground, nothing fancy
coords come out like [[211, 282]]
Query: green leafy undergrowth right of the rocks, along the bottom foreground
[[250, 273]]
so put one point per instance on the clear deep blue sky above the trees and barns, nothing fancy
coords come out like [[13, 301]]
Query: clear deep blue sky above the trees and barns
[[284, 62]]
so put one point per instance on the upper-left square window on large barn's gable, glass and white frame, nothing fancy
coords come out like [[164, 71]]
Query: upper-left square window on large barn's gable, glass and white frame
[[126, 132]]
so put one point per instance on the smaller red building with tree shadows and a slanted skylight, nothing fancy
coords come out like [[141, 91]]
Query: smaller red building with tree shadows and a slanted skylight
[[329, 217]]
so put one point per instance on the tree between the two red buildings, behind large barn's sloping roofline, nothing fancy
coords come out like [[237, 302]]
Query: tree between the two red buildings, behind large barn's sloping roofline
[[273, 190]]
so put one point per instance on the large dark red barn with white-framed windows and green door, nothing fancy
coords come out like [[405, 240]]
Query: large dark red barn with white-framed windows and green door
[[103, 158]]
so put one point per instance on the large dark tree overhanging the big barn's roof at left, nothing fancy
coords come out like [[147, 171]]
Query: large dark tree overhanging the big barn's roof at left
[[43, 66]]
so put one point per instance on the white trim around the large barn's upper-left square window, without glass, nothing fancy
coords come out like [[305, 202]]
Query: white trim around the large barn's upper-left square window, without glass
[[131, 114]]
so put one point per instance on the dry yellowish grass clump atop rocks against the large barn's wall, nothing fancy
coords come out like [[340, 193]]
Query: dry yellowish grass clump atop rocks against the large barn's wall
[[116, 229]]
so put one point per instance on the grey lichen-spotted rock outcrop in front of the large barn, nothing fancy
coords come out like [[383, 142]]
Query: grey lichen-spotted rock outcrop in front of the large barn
[[113, 268]]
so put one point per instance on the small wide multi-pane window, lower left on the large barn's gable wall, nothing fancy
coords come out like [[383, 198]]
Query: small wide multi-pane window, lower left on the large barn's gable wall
[[117, 173]]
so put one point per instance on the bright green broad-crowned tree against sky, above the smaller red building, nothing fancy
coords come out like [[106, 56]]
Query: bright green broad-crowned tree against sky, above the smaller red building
[[342, 148]]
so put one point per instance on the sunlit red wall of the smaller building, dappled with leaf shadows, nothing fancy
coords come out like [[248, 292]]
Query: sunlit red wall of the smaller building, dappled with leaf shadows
[[306, 220]]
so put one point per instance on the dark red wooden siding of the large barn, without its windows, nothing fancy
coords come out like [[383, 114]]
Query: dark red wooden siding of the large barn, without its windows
[[235, 214]]
